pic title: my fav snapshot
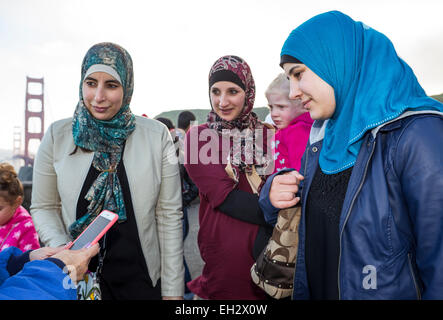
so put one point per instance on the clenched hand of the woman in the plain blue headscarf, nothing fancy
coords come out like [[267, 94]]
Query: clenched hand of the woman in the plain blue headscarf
[[284, 188]]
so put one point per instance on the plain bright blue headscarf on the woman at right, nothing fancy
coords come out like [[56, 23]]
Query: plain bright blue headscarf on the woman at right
[[372, 84]]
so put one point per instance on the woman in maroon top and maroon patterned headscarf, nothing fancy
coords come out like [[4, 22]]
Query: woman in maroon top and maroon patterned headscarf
[[228, 160]]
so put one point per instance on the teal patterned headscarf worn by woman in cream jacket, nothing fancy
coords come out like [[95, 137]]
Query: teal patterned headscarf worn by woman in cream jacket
[[105, 138]]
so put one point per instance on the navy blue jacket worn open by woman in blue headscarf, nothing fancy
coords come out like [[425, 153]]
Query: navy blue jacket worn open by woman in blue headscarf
[[391, 224]]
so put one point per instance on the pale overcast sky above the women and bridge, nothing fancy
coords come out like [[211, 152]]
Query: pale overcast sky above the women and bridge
[[174, 43]]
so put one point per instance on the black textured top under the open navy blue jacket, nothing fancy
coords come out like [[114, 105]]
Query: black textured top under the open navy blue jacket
[[322, 249]]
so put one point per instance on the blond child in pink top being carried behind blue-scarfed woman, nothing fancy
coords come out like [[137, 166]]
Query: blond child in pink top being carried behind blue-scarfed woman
[[293, 123]]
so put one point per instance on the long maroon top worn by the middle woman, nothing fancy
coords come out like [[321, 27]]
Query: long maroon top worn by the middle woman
[[225, 243]]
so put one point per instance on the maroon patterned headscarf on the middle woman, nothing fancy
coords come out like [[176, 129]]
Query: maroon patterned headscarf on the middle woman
[[246, 128]]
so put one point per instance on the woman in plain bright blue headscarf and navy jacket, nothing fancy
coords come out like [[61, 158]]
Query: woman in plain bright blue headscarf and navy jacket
[[372, 173]]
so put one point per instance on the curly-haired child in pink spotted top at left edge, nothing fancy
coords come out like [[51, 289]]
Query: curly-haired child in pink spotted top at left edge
[[16, 226]]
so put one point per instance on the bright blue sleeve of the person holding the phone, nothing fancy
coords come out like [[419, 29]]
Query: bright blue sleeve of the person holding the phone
[[38, 280]]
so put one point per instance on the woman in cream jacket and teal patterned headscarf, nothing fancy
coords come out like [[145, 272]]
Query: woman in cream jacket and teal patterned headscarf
[[105, 157]]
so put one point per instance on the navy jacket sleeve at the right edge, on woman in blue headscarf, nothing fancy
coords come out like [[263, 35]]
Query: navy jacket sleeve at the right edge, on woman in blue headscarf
[[419, 164]]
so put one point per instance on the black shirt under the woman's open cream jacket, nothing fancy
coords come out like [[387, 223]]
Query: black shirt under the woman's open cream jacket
[[124, 273]]
